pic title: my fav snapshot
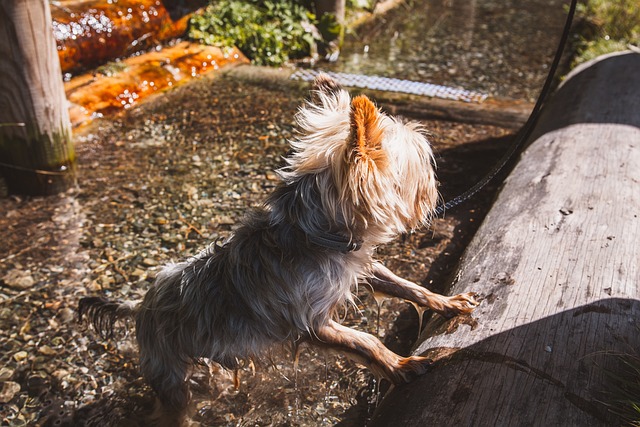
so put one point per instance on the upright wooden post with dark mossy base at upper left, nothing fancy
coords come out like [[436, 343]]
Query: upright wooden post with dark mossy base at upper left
[[36, 153]]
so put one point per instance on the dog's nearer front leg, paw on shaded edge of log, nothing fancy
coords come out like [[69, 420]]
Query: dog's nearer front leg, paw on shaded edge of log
[[368, 350]]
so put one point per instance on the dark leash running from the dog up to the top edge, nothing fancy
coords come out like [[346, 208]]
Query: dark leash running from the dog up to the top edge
[[525, 131]]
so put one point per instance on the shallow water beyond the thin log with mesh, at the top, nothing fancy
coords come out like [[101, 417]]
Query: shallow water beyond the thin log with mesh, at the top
[[499, 47]]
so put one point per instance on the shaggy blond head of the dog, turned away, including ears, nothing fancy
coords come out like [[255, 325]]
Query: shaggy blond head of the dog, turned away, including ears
[[377, 171]]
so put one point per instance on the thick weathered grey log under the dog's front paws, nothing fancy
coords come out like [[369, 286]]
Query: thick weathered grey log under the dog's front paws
[[556, 263]]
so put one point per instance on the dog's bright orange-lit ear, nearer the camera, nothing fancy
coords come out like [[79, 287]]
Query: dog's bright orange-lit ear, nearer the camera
[[365, 134]]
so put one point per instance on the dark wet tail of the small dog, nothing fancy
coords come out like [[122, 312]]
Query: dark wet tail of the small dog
[[103, 314]]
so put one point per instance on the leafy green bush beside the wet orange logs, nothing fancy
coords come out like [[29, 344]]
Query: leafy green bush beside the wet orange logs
[[267, 32]]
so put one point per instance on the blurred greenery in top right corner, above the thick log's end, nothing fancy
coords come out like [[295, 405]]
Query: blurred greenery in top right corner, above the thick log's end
[[606, 26]]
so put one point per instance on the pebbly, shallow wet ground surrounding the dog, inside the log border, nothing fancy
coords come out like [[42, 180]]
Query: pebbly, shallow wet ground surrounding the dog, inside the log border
[[156, 185]]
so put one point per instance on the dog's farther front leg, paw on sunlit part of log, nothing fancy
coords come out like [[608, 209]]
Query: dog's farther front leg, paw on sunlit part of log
[[386, 282]]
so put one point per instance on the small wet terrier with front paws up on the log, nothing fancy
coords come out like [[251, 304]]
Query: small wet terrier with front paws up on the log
[[355, 179]]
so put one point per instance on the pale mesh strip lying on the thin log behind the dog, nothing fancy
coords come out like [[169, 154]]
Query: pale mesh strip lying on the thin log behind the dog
[[393, 85]]
